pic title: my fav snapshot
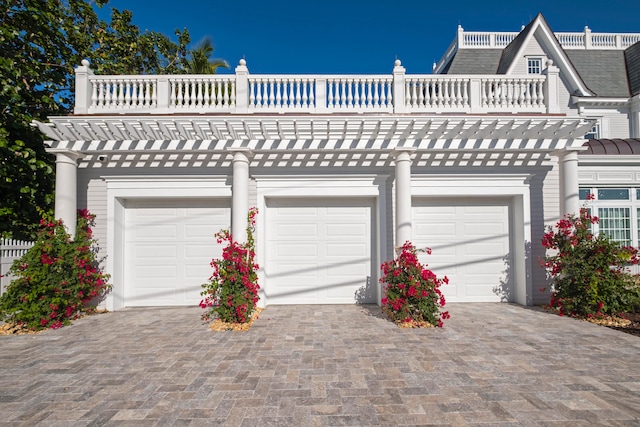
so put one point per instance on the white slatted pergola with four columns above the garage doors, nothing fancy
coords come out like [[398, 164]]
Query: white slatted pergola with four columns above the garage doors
[[310, 140]]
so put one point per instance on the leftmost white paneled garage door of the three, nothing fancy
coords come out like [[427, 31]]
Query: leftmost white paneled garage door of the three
[[169, 245]]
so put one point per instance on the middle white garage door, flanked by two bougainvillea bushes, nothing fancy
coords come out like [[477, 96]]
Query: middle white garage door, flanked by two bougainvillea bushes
[[318, 251]]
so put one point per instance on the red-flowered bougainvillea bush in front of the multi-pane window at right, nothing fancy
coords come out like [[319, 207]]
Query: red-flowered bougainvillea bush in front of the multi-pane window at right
[[588, 272]]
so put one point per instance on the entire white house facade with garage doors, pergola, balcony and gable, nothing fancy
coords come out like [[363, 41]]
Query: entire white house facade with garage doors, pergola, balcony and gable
[[343, 168]]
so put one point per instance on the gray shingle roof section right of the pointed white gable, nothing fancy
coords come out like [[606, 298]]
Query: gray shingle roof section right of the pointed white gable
[[603, 71]]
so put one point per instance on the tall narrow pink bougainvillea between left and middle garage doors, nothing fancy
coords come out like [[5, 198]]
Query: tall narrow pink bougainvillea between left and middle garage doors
[[231, 294]]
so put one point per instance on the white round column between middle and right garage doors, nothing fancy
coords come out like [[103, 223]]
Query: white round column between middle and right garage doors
[[403, 196]]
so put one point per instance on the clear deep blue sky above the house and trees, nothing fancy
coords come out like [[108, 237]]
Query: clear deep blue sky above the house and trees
[[360, 36]]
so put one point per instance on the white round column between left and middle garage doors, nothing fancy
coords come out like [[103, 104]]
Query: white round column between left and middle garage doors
[[240, 196]]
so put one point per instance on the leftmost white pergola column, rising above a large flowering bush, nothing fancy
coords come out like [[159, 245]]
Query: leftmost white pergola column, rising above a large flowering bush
[[66, 205]]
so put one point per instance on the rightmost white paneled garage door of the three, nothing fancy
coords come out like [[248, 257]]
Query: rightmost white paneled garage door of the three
[[470, 242]]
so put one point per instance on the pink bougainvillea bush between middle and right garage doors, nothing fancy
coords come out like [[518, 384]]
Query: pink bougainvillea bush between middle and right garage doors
[[412, 291]]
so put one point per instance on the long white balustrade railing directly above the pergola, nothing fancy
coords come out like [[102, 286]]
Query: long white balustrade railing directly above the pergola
[[243, 93]]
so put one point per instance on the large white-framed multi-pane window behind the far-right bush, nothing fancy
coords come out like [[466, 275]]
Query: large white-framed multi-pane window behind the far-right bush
[[618, 211]]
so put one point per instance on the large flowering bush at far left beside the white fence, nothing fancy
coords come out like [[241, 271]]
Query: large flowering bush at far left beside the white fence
[[56, 280]]
